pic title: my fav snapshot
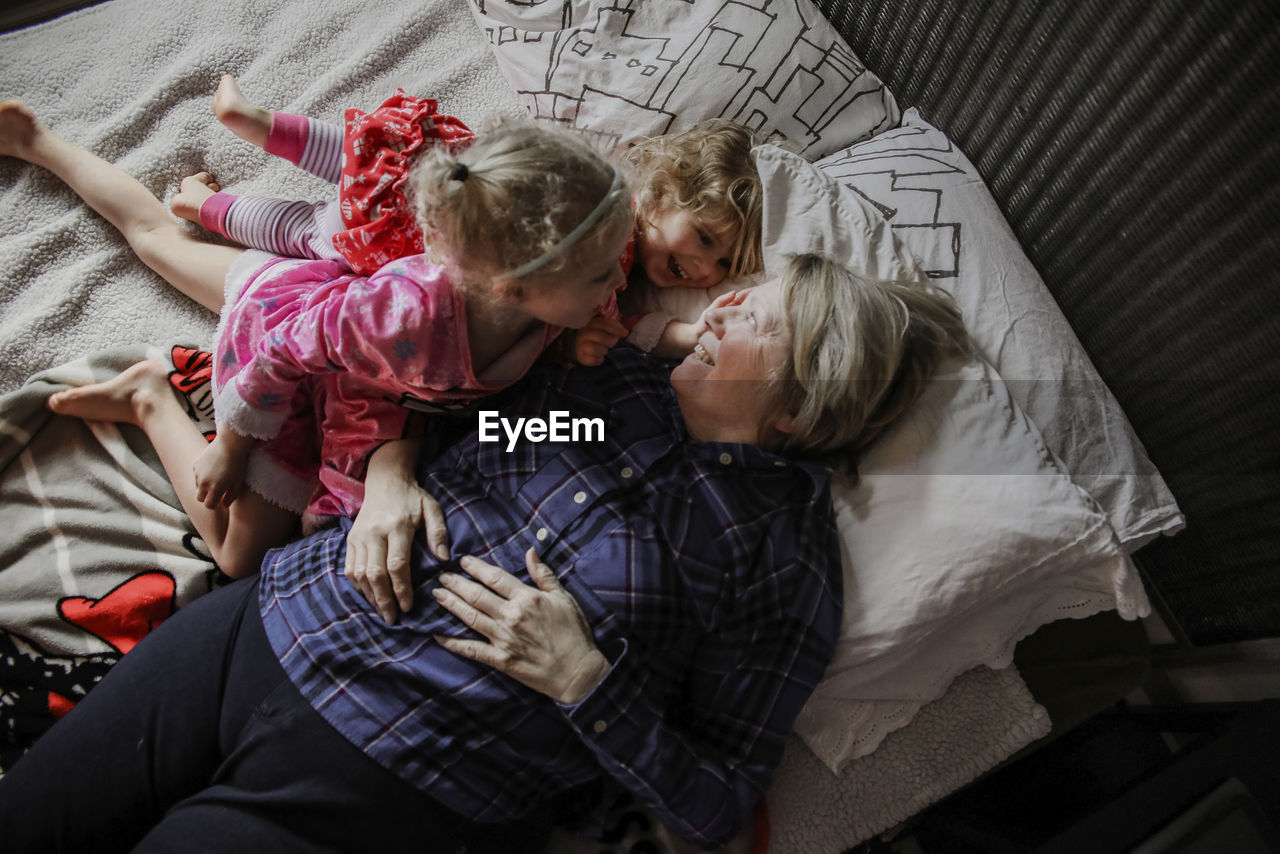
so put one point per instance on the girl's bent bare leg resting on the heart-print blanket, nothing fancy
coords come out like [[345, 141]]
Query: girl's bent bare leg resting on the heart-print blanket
[[237, 537]]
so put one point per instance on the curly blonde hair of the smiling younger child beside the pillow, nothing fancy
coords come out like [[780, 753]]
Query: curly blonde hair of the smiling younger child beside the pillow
[[710, 172]]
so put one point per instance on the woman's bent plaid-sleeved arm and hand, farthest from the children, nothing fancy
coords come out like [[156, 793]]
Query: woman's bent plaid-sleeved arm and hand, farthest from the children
[[702, 764]]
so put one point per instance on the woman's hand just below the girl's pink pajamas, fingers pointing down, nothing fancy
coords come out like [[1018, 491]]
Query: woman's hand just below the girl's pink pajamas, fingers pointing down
[[378, 545]]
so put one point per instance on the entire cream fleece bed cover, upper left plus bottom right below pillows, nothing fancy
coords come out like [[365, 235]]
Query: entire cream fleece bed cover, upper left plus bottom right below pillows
[[132, 80]]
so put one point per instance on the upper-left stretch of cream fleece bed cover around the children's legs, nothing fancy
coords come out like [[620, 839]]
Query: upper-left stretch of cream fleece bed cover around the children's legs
[[132, 81]]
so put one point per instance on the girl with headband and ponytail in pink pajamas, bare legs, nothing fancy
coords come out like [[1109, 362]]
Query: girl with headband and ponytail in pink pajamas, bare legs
[[525, 229]]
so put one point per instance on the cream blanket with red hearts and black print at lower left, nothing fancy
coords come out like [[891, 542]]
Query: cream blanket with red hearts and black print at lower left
[[97, 551]]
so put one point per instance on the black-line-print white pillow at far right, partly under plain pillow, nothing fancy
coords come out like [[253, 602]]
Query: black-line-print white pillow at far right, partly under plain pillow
[[943, 212]]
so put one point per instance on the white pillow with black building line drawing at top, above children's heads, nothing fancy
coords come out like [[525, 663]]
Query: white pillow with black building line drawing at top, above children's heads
[[636, 68]]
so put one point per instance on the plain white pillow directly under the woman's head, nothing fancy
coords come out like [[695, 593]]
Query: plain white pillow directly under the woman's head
[[963, 535]]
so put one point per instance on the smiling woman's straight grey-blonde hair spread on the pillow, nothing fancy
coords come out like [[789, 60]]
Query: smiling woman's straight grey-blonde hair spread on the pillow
[[862, 353]]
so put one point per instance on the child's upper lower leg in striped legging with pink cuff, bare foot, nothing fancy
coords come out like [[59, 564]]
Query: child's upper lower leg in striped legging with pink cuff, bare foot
[[307, 143]]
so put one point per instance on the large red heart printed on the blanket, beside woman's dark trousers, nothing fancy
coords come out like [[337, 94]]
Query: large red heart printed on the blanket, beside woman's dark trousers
[[127, 614]]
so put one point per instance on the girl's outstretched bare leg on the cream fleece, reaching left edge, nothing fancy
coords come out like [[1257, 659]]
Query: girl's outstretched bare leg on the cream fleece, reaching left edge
[[195, 268]]
